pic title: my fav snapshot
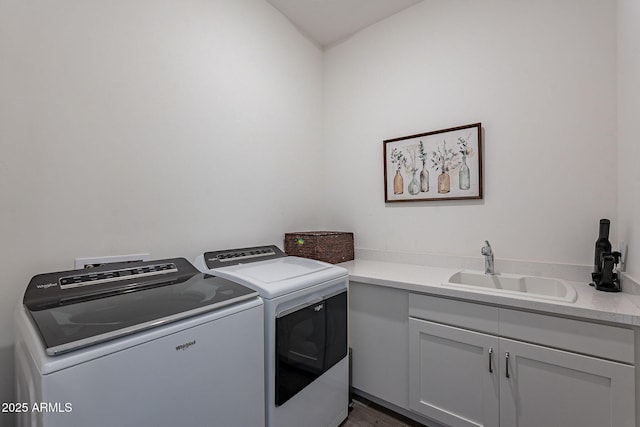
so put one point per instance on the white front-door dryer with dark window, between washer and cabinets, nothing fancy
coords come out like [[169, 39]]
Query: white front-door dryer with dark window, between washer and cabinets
[[306, 361]]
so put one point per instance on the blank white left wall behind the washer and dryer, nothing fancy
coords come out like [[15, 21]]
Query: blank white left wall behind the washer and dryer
[[165, 127]]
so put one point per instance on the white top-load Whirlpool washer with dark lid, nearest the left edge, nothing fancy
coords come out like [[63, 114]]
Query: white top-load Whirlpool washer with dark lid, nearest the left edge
[[154, 343]]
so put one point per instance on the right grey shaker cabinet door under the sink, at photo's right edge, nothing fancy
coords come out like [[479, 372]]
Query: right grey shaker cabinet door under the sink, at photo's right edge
[[548, 387]]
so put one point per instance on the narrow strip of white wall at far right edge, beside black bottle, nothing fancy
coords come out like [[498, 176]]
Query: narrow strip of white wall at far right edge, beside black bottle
[[629, 130]]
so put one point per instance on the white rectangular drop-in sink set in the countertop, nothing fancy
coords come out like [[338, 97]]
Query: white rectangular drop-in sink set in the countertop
[[512, 284]]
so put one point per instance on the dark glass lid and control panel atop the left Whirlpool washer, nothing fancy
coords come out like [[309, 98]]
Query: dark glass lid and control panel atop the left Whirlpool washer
[[78, 308]]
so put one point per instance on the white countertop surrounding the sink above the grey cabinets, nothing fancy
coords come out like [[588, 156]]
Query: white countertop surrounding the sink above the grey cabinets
[[621, 308]]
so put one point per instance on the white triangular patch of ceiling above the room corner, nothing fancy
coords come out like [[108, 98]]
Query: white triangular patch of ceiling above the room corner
[[327, 22]]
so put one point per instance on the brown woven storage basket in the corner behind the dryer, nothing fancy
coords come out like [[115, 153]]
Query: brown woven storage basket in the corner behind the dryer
[[328, 246]]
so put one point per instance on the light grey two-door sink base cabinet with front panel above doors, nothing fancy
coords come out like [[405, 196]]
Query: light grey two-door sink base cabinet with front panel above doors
[[485, 377]]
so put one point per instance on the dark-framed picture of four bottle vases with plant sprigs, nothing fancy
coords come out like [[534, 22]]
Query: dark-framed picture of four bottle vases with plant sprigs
[[440, 165]]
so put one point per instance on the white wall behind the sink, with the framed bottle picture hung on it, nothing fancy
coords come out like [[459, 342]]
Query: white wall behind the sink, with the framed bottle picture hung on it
[[539, 75]]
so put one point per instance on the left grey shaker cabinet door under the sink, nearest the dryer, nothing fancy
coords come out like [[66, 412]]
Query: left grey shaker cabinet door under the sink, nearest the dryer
[[454, 375]]
